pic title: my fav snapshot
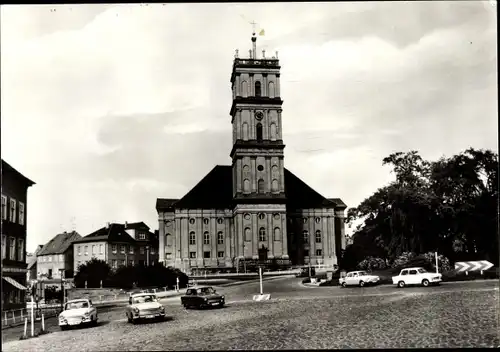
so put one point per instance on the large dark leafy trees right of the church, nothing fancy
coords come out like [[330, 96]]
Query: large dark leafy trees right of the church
[[449, 205]]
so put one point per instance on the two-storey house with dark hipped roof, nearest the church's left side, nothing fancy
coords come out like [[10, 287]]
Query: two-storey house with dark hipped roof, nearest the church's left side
[[118, 245]]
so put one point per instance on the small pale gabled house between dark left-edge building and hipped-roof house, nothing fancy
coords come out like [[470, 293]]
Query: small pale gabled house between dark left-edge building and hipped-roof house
[[55, 260]]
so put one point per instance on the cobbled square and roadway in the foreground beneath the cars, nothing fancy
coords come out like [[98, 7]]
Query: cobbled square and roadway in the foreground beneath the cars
[[463, 314]]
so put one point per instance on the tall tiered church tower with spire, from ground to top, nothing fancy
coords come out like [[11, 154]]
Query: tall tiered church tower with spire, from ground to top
[[259, 216]]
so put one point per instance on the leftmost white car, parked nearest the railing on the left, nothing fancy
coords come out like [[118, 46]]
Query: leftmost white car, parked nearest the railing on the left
[[78, 312]]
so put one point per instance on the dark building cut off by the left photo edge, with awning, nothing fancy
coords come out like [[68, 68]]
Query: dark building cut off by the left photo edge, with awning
[[14, 226]]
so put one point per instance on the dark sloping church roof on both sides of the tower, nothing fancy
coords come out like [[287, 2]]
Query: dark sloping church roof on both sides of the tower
[[215, 191]]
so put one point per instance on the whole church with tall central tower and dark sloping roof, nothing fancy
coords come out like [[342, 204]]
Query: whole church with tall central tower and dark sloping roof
[[255, 209]]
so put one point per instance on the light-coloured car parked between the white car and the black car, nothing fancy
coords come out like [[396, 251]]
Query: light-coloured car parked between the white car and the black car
[[144, 306]]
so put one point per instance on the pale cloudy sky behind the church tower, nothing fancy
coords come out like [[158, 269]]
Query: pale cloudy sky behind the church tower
[[108, 107]]
